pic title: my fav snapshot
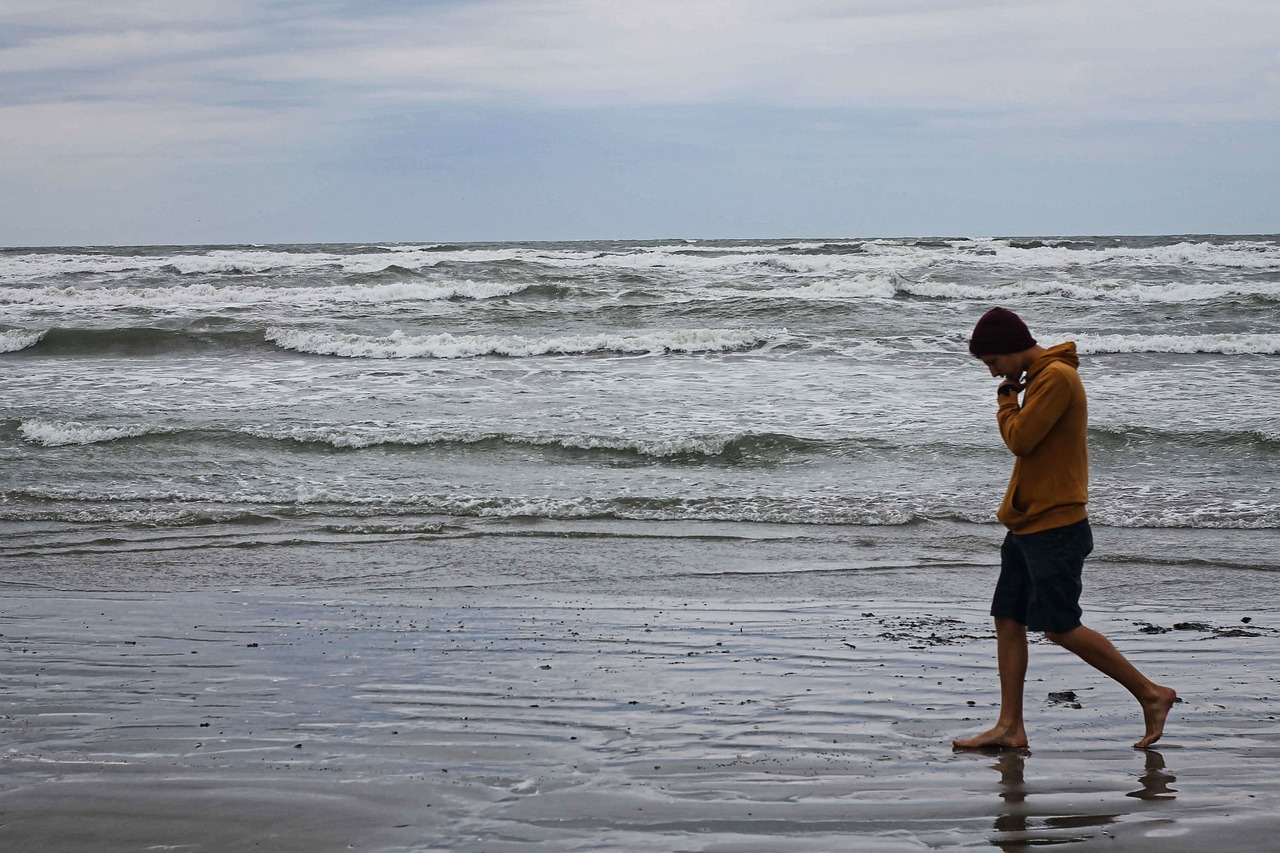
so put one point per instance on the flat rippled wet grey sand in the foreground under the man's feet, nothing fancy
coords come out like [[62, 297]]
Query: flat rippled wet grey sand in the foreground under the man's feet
[[488, 722]]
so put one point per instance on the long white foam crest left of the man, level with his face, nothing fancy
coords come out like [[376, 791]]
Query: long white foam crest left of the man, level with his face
[[465, 346]]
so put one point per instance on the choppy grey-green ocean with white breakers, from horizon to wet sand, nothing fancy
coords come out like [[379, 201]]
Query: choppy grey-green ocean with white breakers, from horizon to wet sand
[[761, 418]]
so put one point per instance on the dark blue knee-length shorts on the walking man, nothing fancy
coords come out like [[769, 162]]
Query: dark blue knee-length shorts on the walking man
[[1040, 578]]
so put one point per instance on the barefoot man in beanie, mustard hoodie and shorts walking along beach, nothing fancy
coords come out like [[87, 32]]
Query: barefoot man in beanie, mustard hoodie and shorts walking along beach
[[1049, 530]]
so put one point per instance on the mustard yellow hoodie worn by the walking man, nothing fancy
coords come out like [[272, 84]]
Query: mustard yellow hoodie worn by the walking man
[[1048, 435]]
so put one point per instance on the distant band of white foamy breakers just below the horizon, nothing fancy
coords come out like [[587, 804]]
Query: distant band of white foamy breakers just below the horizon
[[883, 270]]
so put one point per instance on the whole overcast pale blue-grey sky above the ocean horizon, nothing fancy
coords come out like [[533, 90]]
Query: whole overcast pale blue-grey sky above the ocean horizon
[[289, 121]]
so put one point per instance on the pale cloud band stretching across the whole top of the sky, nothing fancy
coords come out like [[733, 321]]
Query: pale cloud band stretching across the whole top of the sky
[[1146, 60]]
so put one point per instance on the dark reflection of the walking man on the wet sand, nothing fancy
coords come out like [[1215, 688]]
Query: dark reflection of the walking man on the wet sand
[[1018, 829]]
